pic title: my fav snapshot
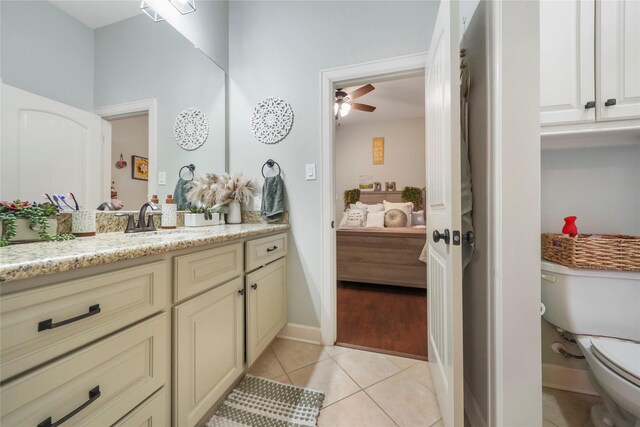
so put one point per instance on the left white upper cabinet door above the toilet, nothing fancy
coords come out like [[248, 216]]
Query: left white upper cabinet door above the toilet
[[567, 82]]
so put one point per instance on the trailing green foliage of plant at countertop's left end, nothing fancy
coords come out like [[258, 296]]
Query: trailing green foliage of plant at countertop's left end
[[37, 216]]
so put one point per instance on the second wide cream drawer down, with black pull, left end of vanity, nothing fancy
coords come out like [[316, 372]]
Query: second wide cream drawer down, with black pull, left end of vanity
[[100, 383]]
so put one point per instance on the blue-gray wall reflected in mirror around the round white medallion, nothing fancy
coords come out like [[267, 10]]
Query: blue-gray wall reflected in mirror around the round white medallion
[[138, 59]]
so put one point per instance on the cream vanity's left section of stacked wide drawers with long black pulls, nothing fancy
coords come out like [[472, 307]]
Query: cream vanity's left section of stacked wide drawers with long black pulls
[[86, 351]]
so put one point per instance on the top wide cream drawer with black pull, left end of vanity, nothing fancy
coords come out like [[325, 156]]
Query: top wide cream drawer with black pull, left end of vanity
[[93, 307]]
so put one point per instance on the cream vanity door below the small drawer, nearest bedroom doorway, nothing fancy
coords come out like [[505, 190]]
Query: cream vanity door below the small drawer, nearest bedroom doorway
[[266, 306]]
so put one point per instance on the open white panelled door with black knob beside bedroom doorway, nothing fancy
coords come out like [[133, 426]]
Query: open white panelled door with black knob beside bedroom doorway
[[444, 255]]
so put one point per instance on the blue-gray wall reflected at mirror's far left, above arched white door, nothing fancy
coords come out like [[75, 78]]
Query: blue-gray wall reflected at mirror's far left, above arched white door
[[45, 51]]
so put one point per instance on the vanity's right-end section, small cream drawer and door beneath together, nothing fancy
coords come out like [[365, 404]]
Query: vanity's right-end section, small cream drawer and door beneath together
[[266, 284]]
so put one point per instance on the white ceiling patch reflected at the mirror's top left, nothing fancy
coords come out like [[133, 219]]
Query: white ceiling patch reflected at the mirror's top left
[[98, 13]]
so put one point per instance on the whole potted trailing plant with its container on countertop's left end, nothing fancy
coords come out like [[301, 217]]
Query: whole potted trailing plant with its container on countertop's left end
[[29, 222]]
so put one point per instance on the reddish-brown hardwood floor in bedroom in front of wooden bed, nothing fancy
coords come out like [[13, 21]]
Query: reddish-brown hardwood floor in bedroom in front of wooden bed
[[388, 319]]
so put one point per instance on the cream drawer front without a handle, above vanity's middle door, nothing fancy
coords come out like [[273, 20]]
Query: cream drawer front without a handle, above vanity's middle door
[[203, 270]]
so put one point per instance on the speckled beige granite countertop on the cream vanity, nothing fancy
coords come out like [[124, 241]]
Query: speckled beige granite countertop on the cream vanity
[[39, 259]]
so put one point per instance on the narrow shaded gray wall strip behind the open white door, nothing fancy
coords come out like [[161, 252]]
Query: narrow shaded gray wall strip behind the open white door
[[476, 275]]
